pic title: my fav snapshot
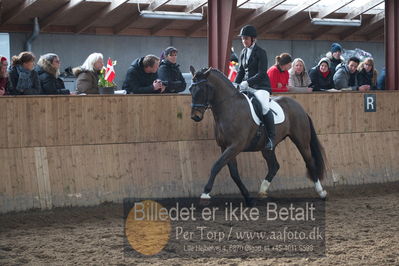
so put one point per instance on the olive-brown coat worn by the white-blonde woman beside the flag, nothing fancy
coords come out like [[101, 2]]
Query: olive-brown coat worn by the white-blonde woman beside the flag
[[87, 81]]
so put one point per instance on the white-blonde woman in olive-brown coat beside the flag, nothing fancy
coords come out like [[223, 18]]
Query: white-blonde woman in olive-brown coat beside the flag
[[87, 74]]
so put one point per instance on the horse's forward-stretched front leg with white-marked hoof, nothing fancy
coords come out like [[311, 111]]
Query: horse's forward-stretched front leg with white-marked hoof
[[226, 156]]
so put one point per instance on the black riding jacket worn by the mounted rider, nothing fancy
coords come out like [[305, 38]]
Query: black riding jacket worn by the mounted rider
[[257, 68]]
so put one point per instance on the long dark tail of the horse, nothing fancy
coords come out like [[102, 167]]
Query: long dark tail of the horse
[[317, 153]]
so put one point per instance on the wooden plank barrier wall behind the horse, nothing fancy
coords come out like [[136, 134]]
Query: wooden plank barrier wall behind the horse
[[85, 150]]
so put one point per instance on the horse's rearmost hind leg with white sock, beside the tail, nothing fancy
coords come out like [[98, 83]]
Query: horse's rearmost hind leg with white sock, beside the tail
[[306, 153]]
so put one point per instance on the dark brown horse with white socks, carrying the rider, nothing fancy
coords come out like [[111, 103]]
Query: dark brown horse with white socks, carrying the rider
[[236, 131]]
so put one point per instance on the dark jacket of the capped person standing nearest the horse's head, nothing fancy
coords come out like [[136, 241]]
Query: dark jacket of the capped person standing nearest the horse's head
[[171, 75]]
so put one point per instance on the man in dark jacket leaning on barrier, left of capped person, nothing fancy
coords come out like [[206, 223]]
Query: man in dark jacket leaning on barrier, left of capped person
[[141, 77]]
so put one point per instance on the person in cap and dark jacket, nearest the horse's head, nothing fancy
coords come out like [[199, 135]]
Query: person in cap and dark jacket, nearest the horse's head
[[169, 72]]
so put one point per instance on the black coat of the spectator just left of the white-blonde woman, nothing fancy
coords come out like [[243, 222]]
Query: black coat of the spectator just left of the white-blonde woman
[[49, 81]]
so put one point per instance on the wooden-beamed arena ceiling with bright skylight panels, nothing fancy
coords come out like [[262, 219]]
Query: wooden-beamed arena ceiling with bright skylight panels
[[274, 19]]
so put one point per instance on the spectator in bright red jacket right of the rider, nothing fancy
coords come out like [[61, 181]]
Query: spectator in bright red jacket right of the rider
[[278, 74]]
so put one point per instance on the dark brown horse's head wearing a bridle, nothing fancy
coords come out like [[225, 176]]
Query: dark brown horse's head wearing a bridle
[[200, 92]]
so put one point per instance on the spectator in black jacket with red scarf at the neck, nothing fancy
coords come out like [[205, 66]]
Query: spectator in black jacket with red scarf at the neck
[[321, 76]]
